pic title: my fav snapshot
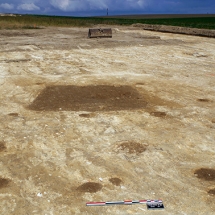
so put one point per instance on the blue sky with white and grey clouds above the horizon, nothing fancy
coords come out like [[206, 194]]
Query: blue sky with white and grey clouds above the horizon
[[99, 7]]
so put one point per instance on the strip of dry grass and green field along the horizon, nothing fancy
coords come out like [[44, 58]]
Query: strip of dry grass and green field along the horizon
[[36, 21]]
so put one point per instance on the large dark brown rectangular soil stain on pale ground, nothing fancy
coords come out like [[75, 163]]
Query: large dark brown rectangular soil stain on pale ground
[[88, 98]]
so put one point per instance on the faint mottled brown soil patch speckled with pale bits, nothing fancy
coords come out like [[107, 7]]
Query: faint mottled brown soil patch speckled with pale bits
[[132, 147]]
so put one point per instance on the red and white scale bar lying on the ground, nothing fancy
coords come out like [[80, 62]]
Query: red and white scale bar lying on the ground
[[127, 202]]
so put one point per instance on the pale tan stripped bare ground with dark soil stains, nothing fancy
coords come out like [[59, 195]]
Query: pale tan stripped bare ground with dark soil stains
[[128, 117]]
